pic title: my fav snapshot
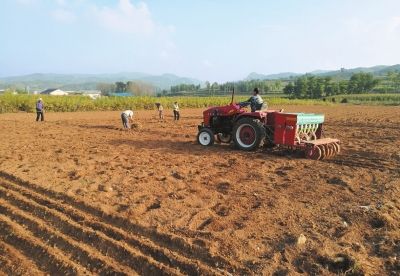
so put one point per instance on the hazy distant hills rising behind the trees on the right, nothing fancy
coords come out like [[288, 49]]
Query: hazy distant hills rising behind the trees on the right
[[377, 71]]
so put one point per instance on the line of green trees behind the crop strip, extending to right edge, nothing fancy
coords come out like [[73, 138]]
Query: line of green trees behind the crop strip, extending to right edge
[[303, 87]]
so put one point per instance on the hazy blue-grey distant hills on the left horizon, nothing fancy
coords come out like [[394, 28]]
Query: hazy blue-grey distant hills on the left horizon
[[89, 81]]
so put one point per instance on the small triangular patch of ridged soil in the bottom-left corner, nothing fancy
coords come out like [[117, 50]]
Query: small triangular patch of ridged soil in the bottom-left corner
[[12, 262]]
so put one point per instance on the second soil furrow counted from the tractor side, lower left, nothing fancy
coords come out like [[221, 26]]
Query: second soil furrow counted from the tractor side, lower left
[[187, 266]]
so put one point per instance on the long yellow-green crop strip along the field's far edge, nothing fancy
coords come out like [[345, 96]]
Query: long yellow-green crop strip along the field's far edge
[[17, 103]]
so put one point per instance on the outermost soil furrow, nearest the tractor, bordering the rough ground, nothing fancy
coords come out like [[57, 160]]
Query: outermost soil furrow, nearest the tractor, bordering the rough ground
[[169, 241]]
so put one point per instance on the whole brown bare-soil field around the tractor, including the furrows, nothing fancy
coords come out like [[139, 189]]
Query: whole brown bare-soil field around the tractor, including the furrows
[[78, 195]]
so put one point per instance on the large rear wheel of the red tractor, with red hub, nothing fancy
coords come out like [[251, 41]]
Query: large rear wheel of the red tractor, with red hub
[[248, 134]]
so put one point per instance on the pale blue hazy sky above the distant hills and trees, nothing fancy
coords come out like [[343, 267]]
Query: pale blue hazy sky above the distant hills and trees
[[214, 40]]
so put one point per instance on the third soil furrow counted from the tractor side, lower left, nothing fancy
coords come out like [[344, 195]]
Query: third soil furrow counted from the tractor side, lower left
[[108, 247]]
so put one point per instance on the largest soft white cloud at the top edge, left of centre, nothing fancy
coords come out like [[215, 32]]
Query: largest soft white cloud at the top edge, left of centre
[[126, 18]]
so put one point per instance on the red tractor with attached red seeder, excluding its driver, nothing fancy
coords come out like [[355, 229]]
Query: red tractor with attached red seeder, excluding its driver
[[251, 130]]
